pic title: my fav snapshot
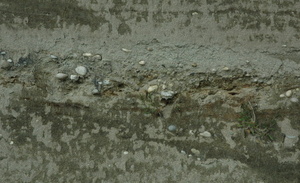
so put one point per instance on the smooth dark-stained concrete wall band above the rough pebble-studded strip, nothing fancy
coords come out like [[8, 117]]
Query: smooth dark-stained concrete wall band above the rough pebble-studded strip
[[231, 23]]
